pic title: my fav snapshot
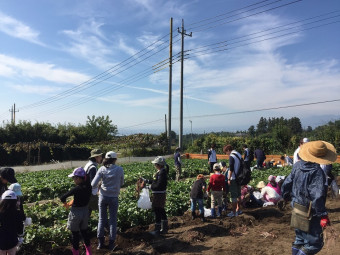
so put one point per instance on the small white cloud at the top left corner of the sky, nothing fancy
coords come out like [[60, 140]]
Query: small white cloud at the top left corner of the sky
[[16, 28]]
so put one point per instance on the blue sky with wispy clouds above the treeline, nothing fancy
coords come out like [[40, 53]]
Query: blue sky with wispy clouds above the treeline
[[61, 61]]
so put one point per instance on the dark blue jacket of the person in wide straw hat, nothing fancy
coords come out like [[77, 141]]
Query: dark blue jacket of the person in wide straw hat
[[306, 183]]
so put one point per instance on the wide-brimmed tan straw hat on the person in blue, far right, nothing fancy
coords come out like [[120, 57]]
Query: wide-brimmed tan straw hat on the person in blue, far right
[[319, 152]]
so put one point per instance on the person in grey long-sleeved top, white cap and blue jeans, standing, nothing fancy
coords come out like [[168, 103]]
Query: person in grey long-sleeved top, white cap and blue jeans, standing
[[112, 179]]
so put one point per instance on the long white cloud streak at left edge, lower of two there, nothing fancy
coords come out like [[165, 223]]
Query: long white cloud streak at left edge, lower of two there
[[29, 69]]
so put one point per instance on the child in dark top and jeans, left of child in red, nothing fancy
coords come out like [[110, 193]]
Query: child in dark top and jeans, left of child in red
[[197, 195]]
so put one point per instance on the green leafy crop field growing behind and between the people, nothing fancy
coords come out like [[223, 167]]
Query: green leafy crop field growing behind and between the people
[[42, 189]]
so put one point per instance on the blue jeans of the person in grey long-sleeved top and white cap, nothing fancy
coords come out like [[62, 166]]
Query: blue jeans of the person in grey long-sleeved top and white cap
[[105, 203]]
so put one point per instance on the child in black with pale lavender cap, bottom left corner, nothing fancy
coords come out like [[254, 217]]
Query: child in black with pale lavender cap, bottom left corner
[[10, 223]]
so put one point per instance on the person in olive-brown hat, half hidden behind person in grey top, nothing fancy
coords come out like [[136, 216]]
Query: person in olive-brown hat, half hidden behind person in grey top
[[91, 169]]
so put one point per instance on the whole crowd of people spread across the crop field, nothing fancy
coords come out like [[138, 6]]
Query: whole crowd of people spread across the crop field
[[98, 188]]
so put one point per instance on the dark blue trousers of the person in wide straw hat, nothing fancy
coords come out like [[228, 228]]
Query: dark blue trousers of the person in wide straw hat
[[312, 241]]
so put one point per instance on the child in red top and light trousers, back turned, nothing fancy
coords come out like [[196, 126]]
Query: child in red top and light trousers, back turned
[[217, 187]]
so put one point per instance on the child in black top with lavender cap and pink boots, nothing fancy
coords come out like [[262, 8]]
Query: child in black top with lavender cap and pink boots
[[79, 214]]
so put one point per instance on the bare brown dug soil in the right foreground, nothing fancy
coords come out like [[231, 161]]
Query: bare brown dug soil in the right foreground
[[264, 231]]
